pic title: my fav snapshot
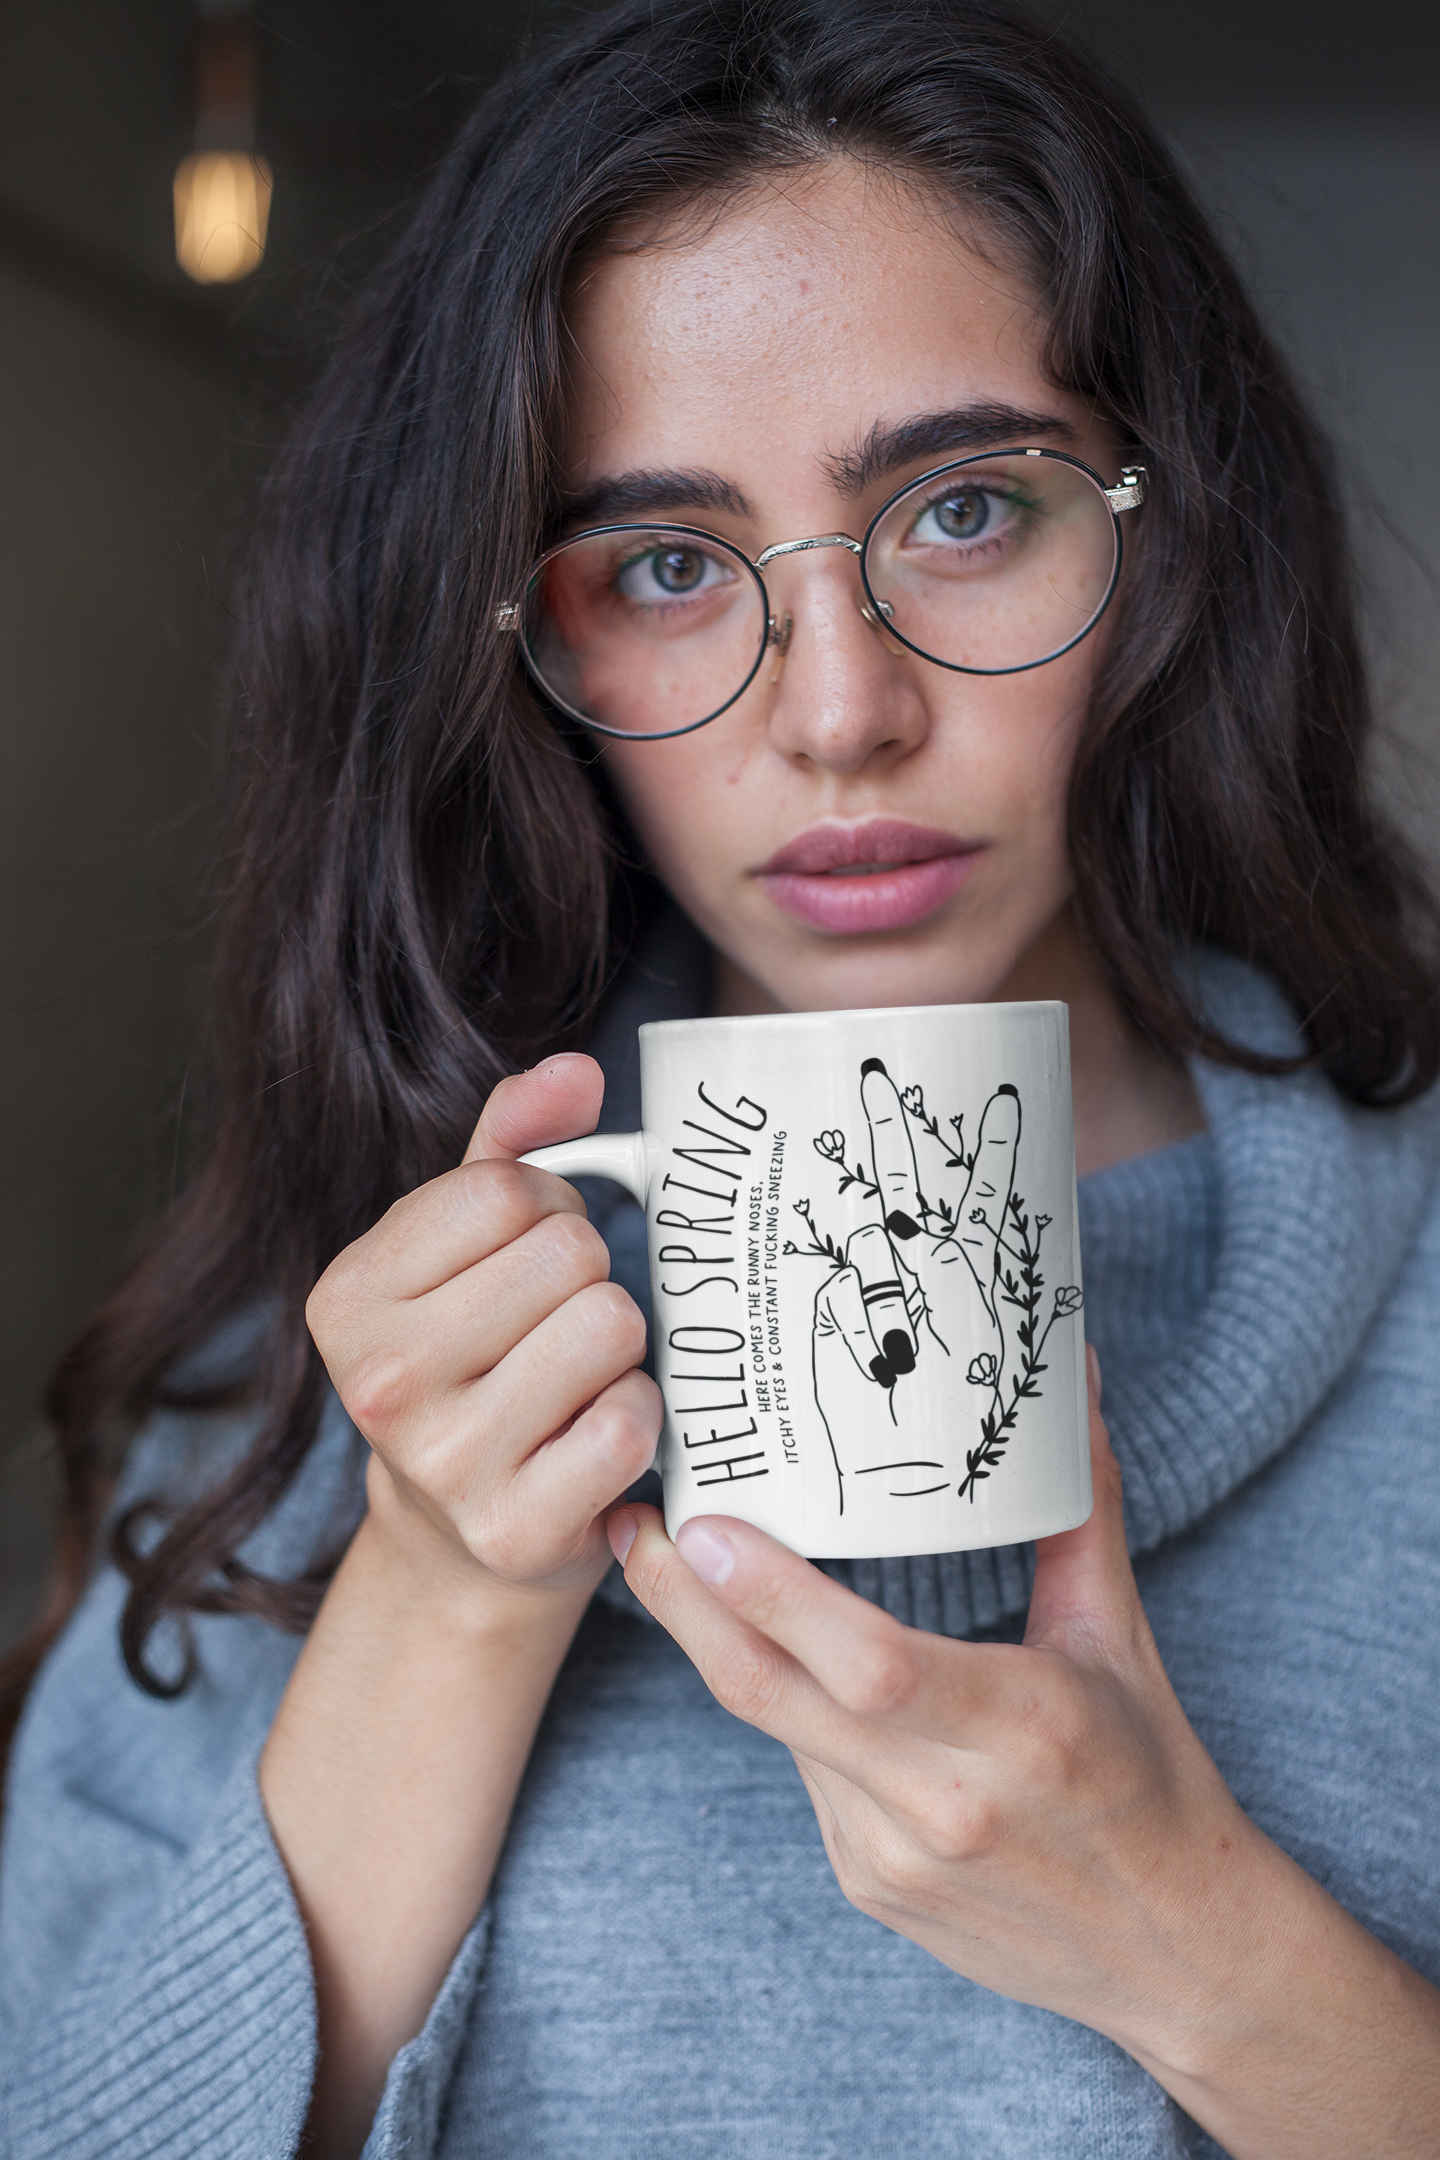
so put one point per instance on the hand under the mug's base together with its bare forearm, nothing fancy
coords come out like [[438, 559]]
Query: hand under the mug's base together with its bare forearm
[[1046, 1822]]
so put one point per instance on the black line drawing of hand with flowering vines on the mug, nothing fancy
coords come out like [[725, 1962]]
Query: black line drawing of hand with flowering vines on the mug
[[927, 1280]]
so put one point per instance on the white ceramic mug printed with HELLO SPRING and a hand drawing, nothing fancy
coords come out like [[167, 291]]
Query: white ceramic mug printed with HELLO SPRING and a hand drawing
[[867, 1273]]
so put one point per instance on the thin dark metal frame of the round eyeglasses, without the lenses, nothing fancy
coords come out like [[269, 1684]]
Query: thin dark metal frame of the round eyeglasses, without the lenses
[[878, 612]]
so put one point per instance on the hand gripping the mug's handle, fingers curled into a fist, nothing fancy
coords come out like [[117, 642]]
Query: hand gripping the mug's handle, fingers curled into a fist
[[480, 1347]]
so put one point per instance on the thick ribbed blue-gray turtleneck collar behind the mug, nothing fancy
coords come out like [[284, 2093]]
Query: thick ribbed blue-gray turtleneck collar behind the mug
[[1230, 1280]]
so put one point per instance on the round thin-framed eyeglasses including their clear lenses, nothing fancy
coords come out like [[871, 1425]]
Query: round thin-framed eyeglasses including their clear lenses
[[990, 565]]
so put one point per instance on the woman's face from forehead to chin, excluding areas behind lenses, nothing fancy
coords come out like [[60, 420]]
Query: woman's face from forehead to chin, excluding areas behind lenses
[[860, 828]]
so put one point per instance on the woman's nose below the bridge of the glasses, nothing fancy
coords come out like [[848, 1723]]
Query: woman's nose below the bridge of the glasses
[[843, 692]]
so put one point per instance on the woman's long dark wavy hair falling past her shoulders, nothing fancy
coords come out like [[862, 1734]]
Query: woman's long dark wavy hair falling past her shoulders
[[424, 882]]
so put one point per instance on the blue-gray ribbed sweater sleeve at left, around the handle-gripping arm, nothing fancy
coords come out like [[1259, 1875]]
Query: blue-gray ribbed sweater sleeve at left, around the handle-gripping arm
[[157, 1995]]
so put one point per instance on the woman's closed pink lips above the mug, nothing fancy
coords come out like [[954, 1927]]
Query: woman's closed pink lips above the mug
[[880, 876]]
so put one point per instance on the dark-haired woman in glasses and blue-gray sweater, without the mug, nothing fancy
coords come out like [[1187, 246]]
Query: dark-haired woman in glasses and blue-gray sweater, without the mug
[[476, 1859]]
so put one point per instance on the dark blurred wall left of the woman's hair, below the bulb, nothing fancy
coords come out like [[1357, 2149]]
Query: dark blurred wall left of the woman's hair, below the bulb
[[103, 716]]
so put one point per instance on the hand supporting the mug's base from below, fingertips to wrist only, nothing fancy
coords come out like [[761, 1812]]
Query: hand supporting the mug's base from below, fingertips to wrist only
[[1016, 1811]]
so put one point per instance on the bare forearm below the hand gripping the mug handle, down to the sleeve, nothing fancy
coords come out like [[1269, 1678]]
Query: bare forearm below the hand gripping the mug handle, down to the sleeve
[[390, 1779]]
